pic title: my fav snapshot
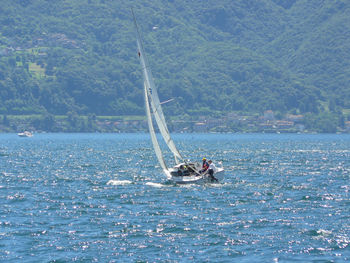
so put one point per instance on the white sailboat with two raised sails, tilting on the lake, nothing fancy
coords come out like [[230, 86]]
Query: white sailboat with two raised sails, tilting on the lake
[[184, 172]]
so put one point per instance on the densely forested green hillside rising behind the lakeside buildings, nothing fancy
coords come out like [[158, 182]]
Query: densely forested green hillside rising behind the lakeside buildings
[[68, 57]]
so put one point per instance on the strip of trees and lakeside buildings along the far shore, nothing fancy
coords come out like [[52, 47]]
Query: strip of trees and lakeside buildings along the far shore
[[267, 122]]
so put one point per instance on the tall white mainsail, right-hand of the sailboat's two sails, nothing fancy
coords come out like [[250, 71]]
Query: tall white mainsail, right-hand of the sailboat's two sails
[[154, 99]]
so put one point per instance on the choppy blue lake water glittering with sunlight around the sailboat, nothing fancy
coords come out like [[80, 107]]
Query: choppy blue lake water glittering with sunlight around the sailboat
[[102, 197]]
